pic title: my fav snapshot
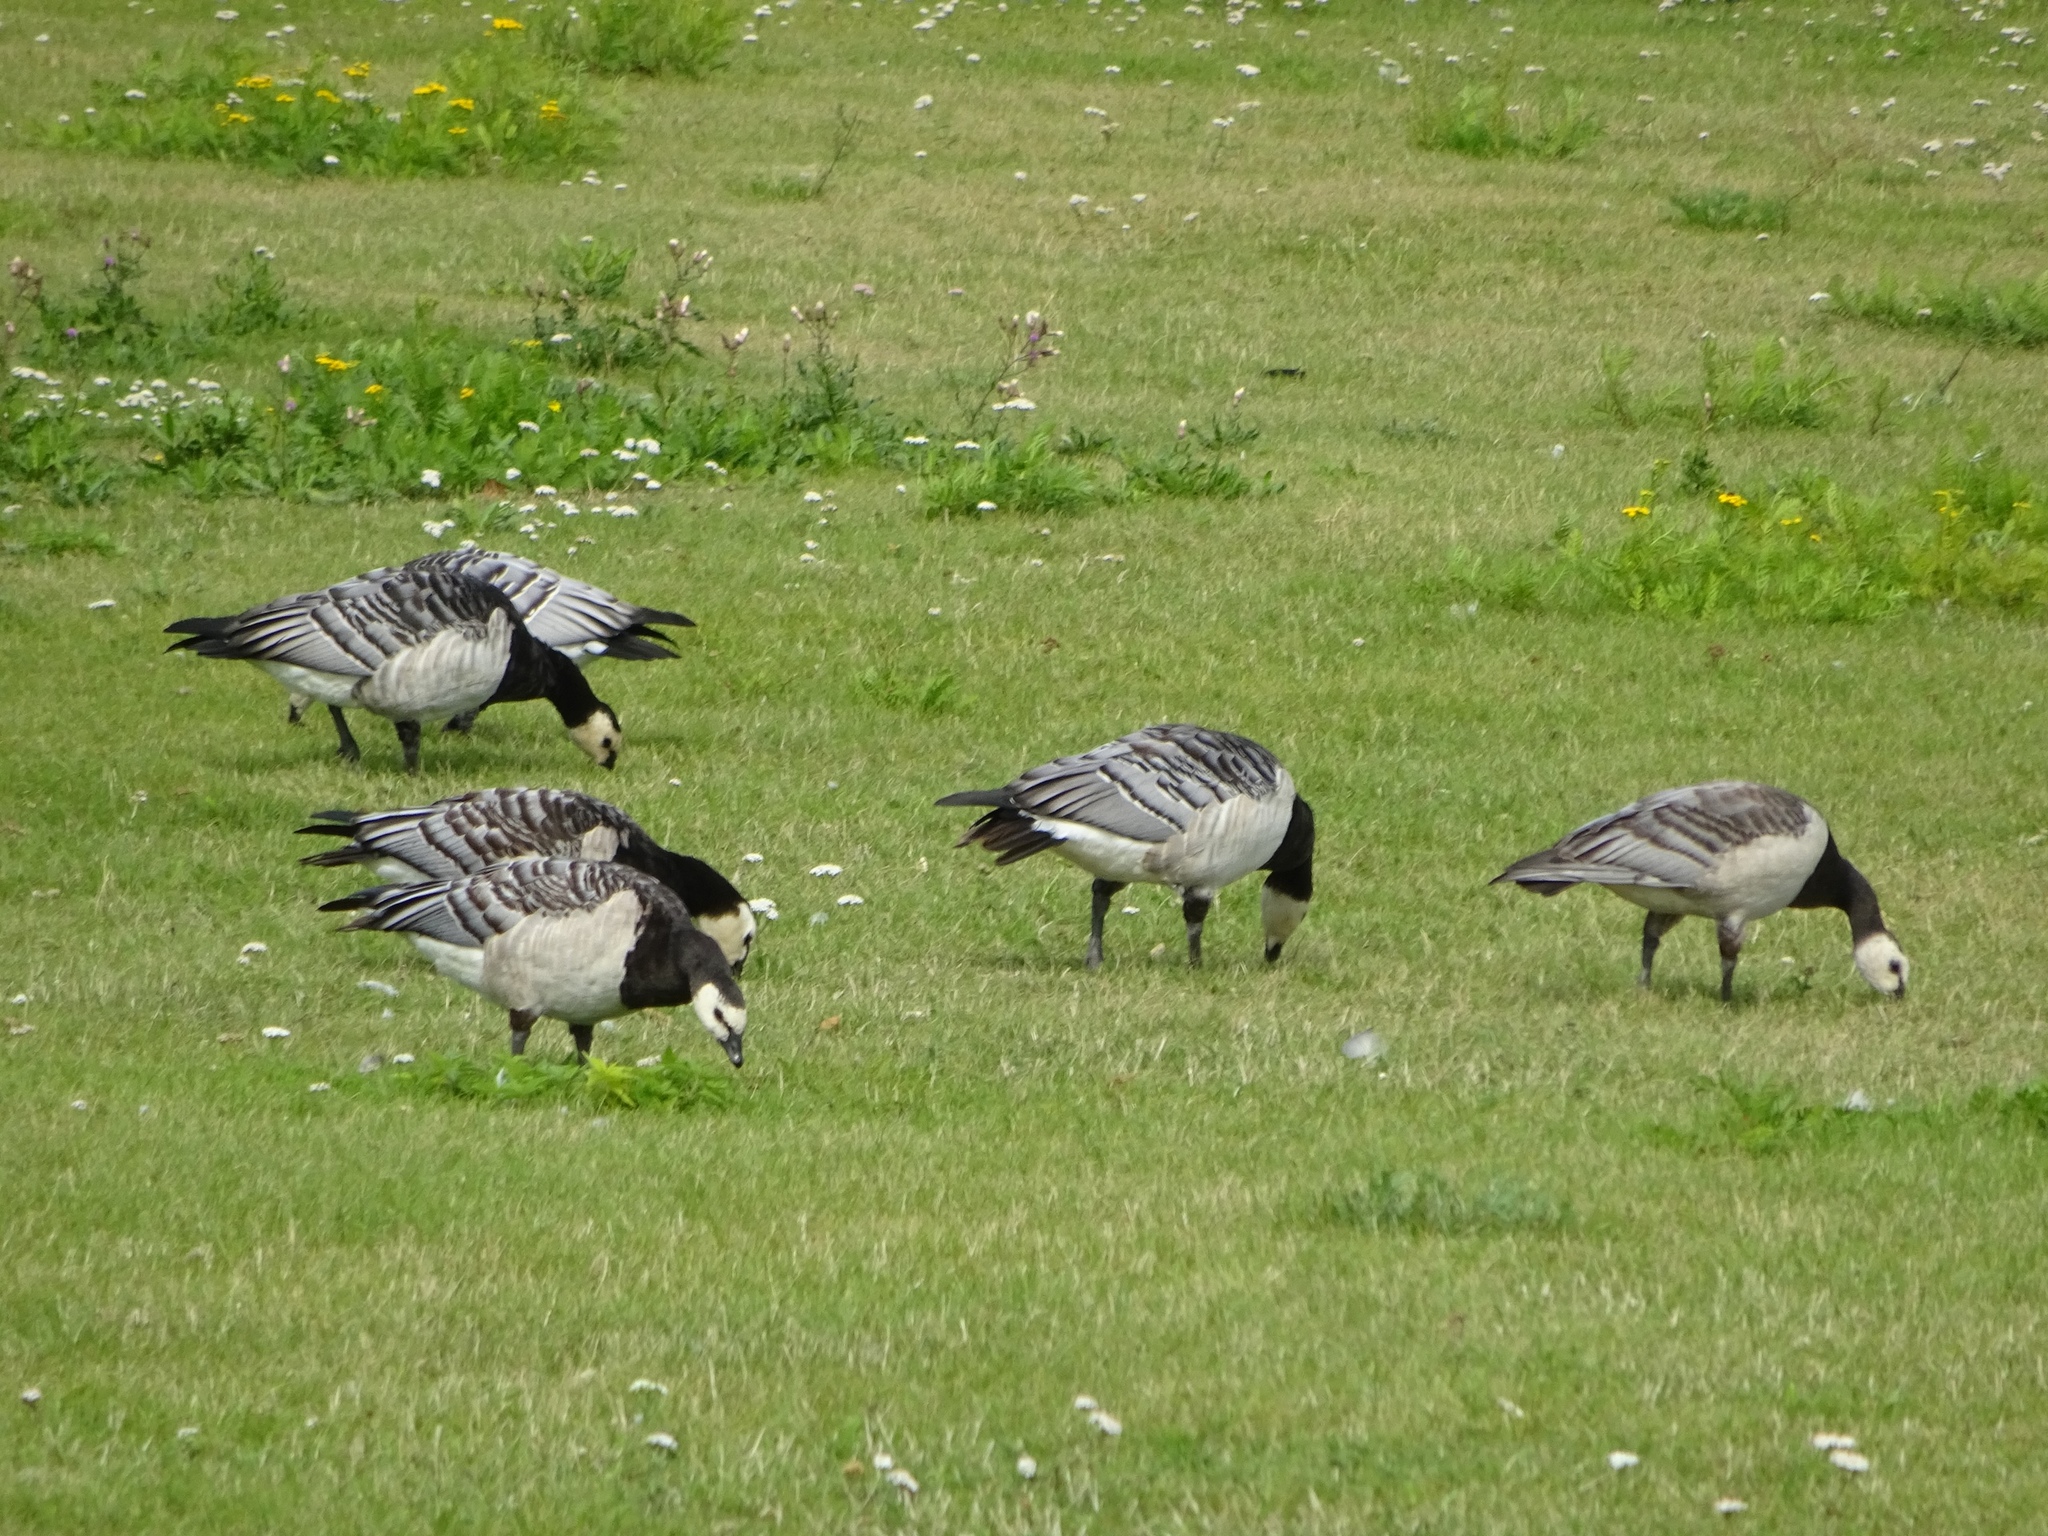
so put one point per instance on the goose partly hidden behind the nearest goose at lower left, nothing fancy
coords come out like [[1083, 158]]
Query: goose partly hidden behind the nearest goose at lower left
[[468, 835]]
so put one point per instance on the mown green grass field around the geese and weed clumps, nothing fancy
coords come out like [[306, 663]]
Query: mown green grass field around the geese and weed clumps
[[962, 1181]]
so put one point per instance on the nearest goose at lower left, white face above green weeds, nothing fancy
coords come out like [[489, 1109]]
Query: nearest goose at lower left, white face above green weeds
[[562, 939]]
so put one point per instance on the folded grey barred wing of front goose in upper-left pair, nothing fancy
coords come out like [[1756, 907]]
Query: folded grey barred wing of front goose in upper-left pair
[[347, 630]]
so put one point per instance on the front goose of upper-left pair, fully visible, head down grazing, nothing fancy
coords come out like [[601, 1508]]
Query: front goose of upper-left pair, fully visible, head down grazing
[[411, 646]]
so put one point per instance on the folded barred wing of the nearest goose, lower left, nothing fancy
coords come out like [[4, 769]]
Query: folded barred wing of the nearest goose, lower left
[[476, 908]]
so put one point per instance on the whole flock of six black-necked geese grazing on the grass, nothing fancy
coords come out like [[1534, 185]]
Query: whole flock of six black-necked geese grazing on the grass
[[554, 904]]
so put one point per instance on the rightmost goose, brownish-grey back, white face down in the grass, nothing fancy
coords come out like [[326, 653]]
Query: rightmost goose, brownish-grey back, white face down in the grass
[[1725, 851]]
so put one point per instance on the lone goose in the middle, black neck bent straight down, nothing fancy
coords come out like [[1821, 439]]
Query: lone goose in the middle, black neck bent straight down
[[1166, 806]]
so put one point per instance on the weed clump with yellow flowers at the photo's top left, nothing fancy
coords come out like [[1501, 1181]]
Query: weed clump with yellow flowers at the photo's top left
[[495, 108]]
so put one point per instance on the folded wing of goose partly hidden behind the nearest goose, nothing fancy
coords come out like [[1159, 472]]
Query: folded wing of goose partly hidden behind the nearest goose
[[472, 833]]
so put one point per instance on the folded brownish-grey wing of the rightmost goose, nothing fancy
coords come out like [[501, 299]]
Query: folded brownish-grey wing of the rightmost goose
[[1666, 841]]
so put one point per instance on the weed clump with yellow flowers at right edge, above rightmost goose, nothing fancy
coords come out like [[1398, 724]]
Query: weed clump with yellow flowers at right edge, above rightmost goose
[[1803, 550]]
